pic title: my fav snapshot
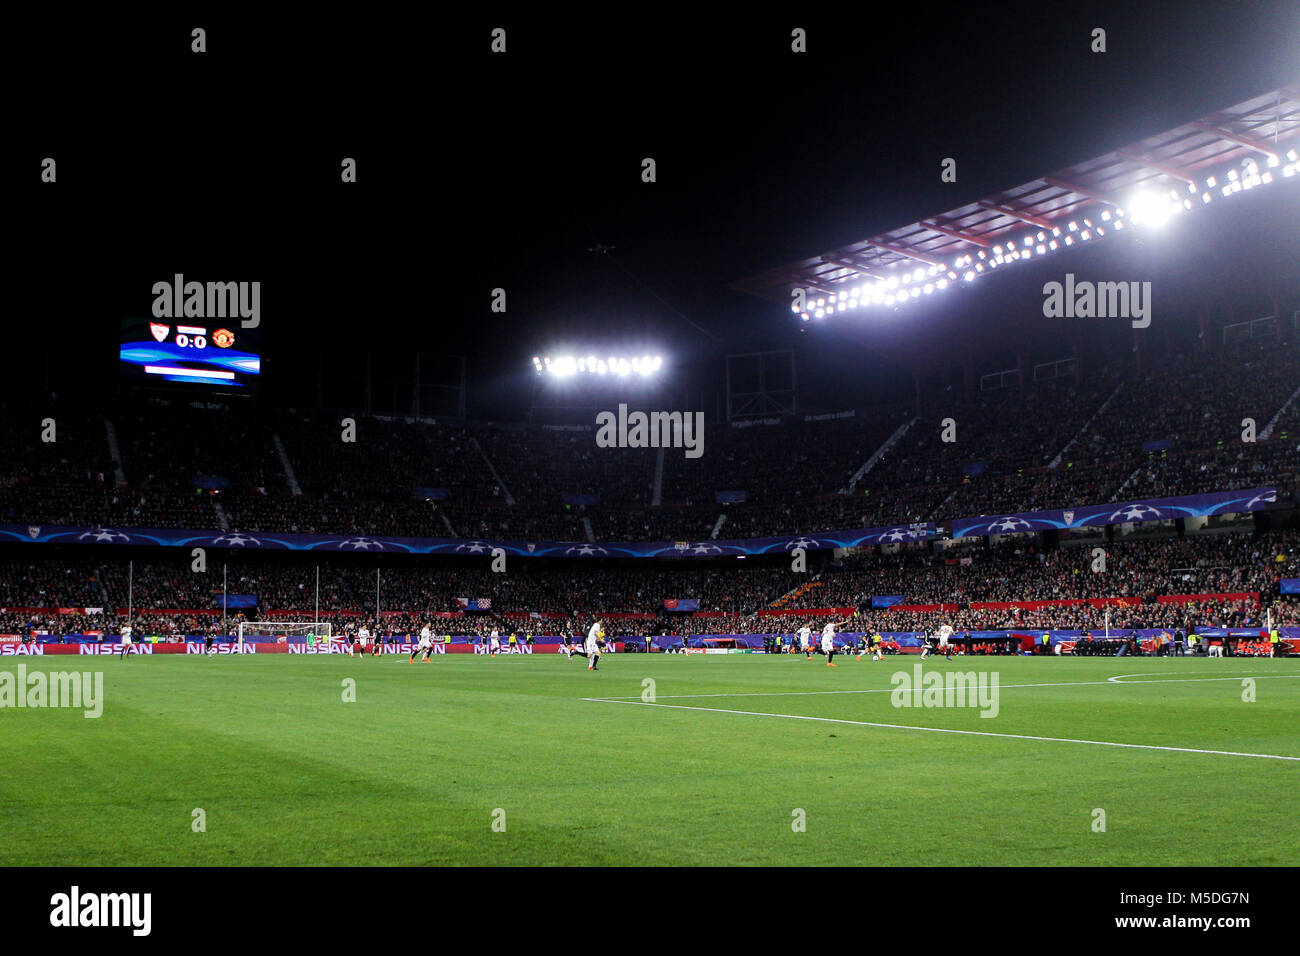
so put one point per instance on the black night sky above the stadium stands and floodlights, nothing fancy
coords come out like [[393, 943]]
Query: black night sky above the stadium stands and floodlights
[[480, 171]]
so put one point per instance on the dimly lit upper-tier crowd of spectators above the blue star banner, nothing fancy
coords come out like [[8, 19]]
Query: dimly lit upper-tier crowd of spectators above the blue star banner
[[1115, 435]]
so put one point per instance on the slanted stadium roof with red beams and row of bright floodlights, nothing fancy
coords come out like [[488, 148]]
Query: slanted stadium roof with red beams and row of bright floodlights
[[1197, 165]]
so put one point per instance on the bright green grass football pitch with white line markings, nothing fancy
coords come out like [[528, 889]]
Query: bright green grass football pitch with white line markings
[[740, 760]]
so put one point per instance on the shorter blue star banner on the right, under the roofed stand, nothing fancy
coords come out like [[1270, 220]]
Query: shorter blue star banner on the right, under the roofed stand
[[1100, 516]]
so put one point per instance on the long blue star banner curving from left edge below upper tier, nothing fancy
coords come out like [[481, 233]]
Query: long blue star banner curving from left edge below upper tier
[[252, 542]]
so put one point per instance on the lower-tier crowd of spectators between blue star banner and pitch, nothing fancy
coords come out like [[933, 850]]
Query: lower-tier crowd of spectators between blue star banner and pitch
[[96, 592]]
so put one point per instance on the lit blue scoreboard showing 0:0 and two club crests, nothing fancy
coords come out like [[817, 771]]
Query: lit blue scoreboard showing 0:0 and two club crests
[[190, 353]]
